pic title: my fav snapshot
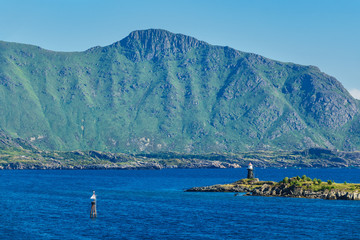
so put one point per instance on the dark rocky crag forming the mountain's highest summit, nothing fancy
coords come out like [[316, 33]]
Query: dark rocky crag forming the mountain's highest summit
[[153, 43]]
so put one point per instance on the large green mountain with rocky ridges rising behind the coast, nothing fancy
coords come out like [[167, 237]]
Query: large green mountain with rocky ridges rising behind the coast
[[159, 91]]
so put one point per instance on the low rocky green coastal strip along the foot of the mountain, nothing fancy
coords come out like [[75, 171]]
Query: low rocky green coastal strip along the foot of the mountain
[[29, 157]]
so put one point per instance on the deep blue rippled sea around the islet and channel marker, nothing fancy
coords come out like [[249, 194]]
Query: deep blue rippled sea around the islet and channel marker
[[152, 204]]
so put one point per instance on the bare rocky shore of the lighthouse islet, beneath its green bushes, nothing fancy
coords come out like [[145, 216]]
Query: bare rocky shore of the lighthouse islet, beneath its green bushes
[[273, 189]]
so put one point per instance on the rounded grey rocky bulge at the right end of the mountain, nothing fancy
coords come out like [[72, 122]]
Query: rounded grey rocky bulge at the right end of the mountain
[[313, 93]]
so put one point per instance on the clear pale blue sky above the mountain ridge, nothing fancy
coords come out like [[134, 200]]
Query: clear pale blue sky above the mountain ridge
[[324, 33]]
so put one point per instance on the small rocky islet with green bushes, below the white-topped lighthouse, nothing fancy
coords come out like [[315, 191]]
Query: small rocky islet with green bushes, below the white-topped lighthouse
[[296, 187]]
